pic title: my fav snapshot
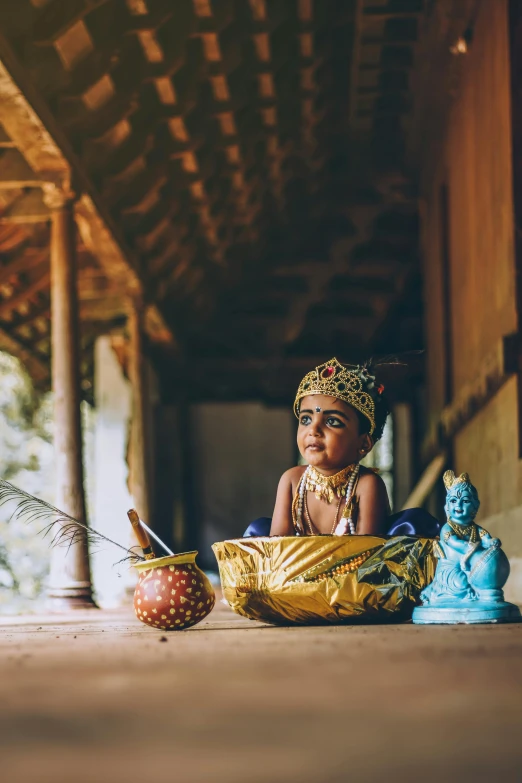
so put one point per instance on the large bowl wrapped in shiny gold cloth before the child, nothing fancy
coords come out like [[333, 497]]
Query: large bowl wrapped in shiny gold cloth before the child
[[324, 579]]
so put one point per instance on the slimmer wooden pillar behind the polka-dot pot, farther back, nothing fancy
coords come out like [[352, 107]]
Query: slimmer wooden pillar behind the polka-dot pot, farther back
[[139, 483]]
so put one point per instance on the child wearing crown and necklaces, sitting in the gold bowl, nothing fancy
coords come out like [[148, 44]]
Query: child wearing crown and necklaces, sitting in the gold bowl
[[342, 413]]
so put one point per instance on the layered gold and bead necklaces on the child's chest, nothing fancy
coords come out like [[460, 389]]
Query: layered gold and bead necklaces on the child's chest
[[345, 489]]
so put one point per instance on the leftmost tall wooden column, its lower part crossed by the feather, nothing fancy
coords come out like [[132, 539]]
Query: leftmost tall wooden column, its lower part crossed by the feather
[[70, 581]]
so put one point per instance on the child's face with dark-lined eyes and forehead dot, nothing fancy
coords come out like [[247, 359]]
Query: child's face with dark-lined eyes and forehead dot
[[328, 434]]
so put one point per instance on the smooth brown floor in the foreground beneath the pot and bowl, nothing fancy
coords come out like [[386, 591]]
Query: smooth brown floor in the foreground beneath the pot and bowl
[[101, 698]]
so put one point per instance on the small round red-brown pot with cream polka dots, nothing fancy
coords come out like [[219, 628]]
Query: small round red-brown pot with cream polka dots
[[172, 592]]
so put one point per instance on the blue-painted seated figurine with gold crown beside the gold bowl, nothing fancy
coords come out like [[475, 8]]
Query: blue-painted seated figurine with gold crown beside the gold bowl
[[471, 570]]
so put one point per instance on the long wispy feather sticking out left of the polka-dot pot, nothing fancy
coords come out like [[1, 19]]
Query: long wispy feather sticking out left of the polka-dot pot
[[62, 528]]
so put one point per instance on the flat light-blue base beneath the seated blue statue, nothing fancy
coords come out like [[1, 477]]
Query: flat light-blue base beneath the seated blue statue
[[477, 612]]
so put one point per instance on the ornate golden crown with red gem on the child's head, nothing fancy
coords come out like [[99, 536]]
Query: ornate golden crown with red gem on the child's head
[[334, 380]]
